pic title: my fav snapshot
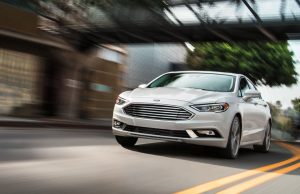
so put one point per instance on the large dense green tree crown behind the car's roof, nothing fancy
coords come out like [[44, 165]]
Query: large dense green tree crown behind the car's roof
[[263, 62]]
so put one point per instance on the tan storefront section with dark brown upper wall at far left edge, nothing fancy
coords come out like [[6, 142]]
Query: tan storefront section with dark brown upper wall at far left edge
[[21, 62]]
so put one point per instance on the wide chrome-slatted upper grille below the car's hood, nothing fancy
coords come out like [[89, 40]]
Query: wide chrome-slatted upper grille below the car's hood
[[157, 111]]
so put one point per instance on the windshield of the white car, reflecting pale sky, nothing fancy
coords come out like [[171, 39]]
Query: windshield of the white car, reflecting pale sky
[[203, 81]]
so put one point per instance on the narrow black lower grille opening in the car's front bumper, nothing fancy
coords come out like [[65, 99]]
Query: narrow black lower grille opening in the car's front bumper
[[161, 132]]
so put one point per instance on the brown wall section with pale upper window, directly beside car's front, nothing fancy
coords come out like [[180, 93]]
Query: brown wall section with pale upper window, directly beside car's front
[[102, 83]]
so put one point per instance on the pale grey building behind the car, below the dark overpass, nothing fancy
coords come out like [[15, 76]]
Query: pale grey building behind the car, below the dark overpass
[[147, 61]]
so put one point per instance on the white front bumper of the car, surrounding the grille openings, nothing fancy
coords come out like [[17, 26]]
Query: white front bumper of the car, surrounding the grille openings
[[219, 122]]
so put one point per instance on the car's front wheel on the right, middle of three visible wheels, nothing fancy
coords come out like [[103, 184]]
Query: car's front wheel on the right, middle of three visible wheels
[[233, 145]]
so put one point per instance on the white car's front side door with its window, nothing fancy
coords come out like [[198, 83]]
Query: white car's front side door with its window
[[249, 112]]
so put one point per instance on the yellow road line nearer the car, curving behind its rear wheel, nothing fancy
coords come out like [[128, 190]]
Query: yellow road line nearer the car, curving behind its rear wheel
[[230, 179]]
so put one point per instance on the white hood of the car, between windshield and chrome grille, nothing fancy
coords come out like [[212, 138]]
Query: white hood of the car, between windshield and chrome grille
[[182, 94]]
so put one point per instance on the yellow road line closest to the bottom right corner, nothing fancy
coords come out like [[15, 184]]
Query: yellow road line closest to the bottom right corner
[[259, 180]]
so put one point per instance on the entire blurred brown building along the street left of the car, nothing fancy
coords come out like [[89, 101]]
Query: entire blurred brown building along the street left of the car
[[34, 82]]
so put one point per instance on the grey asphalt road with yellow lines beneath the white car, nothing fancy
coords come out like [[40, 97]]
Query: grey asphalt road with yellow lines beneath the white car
[[66, 161]]
